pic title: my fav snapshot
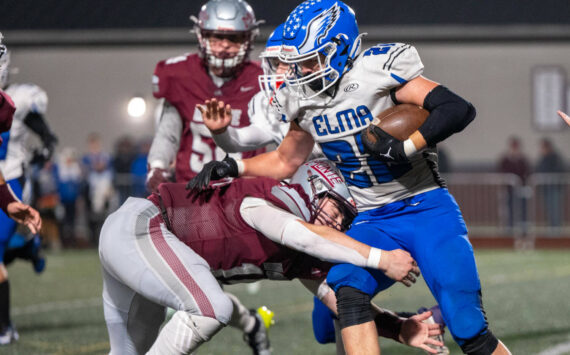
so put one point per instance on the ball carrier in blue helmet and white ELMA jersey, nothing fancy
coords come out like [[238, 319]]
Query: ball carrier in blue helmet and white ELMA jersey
[[332, 94]]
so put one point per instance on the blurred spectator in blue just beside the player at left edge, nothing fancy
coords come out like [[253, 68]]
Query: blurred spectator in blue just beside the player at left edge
[[47, 203]]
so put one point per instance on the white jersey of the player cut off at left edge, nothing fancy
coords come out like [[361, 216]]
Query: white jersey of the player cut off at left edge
[[14, 153]]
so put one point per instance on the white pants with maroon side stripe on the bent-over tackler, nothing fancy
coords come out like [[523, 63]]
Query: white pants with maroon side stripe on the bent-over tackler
[[145, 269]]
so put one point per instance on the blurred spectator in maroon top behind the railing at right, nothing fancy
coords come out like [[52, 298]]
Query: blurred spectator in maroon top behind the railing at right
[[515, 162]]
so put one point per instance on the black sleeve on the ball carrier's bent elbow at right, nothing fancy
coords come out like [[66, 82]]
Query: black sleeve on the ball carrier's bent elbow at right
[[449, 114]]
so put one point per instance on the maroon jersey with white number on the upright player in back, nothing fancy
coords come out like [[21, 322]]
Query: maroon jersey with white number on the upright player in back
[[184, 82]]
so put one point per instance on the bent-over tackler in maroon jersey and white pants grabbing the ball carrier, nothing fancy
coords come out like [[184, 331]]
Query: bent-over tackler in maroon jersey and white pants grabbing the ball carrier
[[173, 249]]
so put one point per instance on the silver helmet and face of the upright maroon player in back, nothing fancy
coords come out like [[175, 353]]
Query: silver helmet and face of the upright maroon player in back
[[226, 30]]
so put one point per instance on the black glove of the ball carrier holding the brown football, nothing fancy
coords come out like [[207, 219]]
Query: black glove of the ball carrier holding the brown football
[[383, 146]]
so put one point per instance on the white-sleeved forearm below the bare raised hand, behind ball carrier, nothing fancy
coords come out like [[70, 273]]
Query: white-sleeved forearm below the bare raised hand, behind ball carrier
[[242, 139]]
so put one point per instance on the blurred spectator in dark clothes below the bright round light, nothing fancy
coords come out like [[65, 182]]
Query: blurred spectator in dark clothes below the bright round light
[[122, 160]]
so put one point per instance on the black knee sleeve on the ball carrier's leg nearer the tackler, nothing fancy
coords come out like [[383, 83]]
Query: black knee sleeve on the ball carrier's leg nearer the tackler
[[353, 307]]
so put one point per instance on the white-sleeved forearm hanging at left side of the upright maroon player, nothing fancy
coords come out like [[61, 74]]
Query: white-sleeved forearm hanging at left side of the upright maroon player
[[166, 142]]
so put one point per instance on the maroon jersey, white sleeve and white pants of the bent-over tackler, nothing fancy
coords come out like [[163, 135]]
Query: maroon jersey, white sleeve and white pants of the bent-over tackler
[[171, 250]]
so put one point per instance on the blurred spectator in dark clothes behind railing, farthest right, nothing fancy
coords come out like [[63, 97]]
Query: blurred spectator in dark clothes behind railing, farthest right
[[552, 193]]
